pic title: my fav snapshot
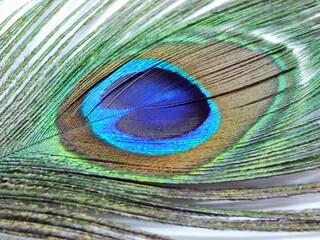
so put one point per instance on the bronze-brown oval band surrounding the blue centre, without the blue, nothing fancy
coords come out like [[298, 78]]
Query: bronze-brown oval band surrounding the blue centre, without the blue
[[243, 81]]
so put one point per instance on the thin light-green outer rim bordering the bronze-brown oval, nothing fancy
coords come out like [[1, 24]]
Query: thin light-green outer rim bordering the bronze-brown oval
[[243, 39]]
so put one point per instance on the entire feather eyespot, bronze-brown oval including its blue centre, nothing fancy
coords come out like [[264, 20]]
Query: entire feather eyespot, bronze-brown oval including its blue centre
[[168, 109]]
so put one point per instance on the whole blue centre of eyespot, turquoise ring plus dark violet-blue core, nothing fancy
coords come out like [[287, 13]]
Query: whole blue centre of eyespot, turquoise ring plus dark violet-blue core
[[149, 106]]
